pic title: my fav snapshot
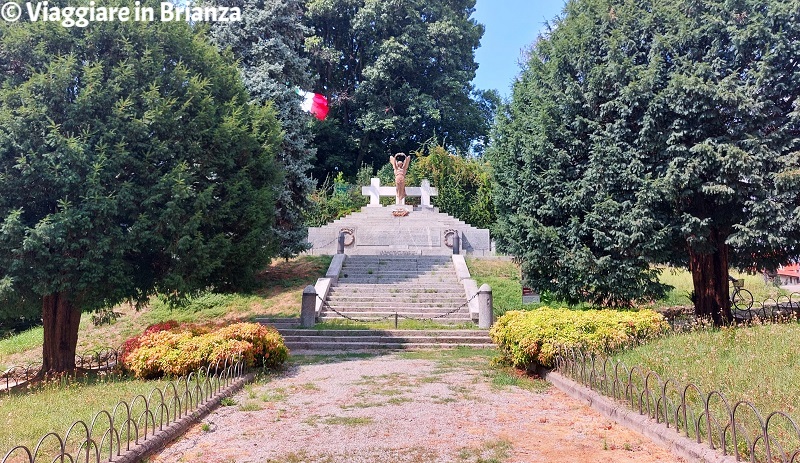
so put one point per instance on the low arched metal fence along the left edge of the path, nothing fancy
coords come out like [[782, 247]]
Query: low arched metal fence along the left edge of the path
[[110, 434]]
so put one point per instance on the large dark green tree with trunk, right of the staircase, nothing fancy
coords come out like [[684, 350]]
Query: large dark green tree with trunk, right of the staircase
[[643, 133]]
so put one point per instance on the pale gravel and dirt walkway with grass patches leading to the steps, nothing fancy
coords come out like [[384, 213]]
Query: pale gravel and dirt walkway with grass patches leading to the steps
[[418, 407]]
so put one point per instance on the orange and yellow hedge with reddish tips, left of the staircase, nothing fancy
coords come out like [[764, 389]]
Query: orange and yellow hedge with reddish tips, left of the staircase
[[169, 349]]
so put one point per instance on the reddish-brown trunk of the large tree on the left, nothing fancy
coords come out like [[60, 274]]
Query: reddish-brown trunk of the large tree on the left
[[61, 320]]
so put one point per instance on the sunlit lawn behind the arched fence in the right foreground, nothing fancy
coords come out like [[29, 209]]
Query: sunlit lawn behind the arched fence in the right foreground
[[757, 364]]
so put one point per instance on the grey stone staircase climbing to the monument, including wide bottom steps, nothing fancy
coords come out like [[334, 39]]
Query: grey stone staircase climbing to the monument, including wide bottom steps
[[378, 288]]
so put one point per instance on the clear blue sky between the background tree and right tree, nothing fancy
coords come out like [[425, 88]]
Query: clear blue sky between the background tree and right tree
[[511, 26]]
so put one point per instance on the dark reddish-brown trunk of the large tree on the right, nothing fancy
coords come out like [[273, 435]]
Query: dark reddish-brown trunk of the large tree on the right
[[710, 278]]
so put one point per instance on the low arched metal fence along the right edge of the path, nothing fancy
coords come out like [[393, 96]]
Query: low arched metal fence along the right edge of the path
[[734, 428]]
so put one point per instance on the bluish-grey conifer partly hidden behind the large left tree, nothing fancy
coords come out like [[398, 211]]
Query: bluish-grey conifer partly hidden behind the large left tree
[[268, 43]]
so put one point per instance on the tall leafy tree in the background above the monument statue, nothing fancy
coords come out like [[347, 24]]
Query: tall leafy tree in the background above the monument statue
[[397, 73]]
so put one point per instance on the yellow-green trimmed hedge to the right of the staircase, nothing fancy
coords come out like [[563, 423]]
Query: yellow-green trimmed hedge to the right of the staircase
[[531, 338]]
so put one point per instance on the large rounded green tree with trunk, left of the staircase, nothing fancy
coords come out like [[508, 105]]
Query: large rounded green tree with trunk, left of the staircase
[[131, 162]]
